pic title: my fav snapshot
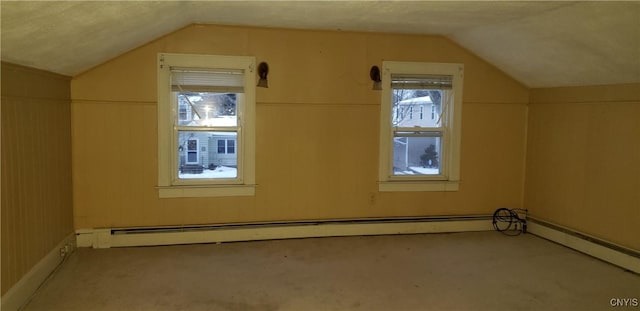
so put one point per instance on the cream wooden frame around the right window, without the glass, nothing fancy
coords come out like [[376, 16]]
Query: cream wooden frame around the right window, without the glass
[[449, 178]]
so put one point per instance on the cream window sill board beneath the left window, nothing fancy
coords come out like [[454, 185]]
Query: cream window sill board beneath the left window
[[206, 191]]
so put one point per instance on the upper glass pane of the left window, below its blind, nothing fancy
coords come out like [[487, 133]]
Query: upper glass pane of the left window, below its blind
[[207, 109]]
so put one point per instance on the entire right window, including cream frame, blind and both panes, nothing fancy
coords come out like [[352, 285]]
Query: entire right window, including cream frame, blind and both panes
[[420, 154]]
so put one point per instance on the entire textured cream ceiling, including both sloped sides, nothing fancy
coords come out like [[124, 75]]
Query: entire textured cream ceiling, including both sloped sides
[[541, 44]]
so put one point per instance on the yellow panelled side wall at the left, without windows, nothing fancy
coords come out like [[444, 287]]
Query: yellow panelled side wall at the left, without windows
[[36, 168]]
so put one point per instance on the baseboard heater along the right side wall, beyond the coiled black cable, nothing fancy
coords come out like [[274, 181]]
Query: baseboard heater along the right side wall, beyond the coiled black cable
[[618, 255]]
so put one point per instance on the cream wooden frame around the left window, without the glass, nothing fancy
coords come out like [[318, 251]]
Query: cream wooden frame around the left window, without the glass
[[169, 185]]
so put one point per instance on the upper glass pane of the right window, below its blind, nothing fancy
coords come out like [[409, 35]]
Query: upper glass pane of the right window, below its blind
[[410, 106]]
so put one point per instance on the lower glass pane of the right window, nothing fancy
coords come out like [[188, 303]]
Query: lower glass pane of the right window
[[416, 155]]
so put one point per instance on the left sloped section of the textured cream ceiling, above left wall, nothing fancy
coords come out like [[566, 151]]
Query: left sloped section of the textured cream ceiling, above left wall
[[69, 37]]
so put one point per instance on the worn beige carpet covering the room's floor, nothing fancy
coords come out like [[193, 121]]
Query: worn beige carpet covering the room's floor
[[461, 271]]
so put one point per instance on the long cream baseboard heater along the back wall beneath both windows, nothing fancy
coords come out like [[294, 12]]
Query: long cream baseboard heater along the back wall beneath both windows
[[216, 233]]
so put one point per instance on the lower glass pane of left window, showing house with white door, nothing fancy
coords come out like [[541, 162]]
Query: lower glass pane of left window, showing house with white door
[[205, 154]]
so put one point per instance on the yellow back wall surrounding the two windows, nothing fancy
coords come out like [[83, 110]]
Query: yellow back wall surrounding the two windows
[[317, 132]]
